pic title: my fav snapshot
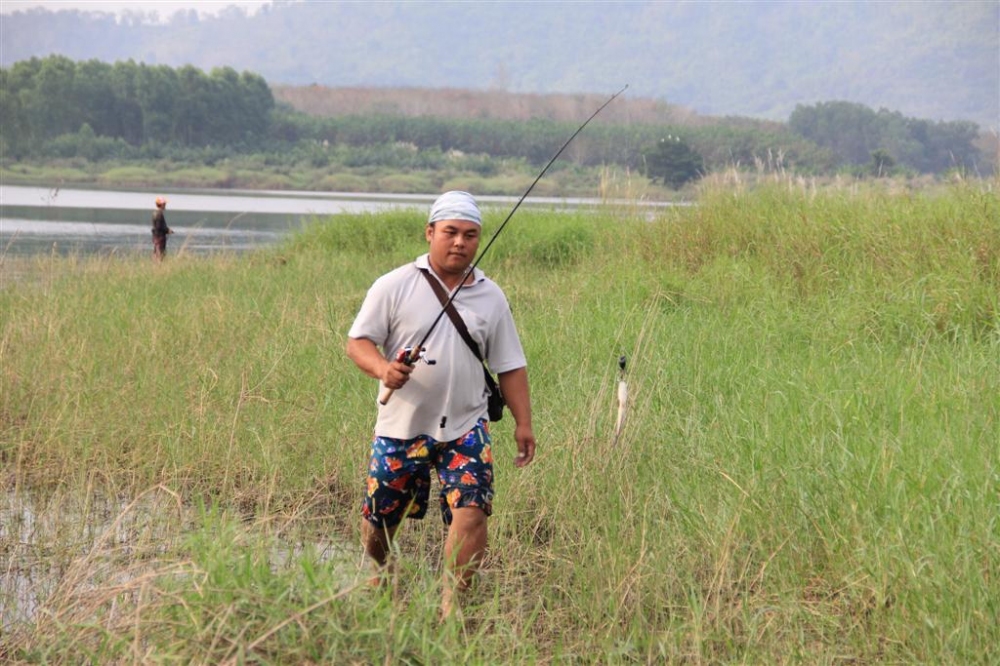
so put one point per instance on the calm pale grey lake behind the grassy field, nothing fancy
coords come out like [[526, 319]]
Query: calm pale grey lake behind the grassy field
[[37, 220]]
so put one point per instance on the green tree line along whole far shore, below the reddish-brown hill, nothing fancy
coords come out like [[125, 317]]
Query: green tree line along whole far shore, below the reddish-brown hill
[[55, 107]]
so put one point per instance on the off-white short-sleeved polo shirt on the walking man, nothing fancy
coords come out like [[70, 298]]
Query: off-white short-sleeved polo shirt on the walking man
[[443, 400]]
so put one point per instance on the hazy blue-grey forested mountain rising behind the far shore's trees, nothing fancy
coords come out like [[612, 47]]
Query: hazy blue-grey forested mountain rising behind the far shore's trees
[[932, 60]]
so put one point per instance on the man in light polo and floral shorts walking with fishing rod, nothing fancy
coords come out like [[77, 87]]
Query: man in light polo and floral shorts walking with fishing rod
[[437, 415]]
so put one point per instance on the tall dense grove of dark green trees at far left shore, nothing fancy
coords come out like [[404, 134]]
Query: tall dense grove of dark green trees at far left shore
[[137, 104]]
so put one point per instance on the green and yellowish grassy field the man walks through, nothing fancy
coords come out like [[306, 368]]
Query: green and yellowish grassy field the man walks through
[[809, 471]]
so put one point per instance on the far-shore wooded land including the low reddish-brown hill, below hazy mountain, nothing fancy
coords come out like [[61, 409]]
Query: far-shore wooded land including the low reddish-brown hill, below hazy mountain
[[54, 108]]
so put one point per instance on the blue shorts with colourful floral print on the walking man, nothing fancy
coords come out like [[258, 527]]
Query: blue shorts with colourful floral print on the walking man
[[399, 476]]
